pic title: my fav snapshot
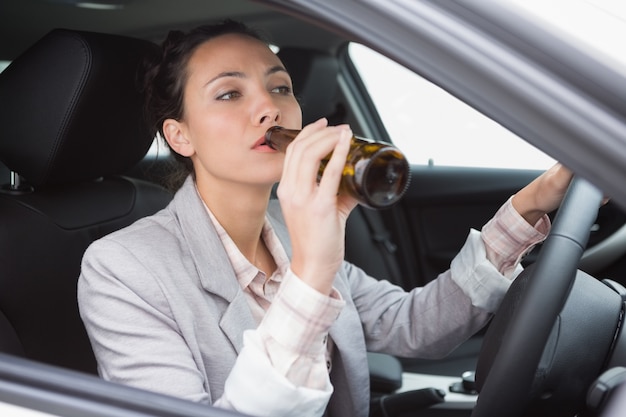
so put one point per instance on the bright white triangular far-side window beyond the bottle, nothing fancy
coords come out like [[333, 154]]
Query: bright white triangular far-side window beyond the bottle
[[432, 127]]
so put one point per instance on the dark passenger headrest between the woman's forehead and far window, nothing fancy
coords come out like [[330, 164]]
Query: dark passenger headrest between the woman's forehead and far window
[[314, 75]]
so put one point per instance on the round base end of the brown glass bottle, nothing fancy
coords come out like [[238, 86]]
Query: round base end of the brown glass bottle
[[386, 178]]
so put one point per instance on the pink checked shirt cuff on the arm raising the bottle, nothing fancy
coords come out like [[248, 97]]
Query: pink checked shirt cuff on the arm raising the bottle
[[300, 317]]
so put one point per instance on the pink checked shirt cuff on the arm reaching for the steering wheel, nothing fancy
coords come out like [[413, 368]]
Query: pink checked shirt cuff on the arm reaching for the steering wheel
[[508, 237]]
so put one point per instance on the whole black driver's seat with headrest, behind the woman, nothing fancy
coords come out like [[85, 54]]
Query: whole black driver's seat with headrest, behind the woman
[[72, 116]]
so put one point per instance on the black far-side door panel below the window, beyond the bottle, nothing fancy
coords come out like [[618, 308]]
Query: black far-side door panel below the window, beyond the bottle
[[440, 208]]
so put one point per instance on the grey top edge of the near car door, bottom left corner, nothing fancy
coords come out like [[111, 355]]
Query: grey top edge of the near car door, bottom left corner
[[35, 389]]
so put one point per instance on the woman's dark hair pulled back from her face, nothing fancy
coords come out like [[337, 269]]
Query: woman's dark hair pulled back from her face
[[166, 76]]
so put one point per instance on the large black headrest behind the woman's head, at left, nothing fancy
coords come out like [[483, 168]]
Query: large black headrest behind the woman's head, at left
[[71, 108]]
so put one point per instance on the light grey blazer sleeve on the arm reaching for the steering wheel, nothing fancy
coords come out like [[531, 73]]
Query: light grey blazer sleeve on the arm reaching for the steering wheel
[[430, 321]]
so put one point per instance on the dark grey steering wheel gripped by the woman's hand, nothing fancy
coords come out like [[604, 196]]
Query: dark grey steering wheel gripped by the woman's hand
[[507, 372]]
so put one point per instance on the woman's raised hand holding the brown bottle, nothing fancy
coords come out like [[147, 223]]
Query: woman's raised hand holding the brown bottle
[[314, 212]]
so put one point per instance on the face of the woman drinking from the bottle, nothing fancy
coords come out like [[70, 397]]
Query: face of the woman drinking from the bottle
[[236, 89]]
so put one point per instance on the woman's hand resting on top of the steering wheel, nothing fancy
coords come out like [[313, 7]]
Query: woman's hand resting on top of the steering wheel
[[543, 195]]
